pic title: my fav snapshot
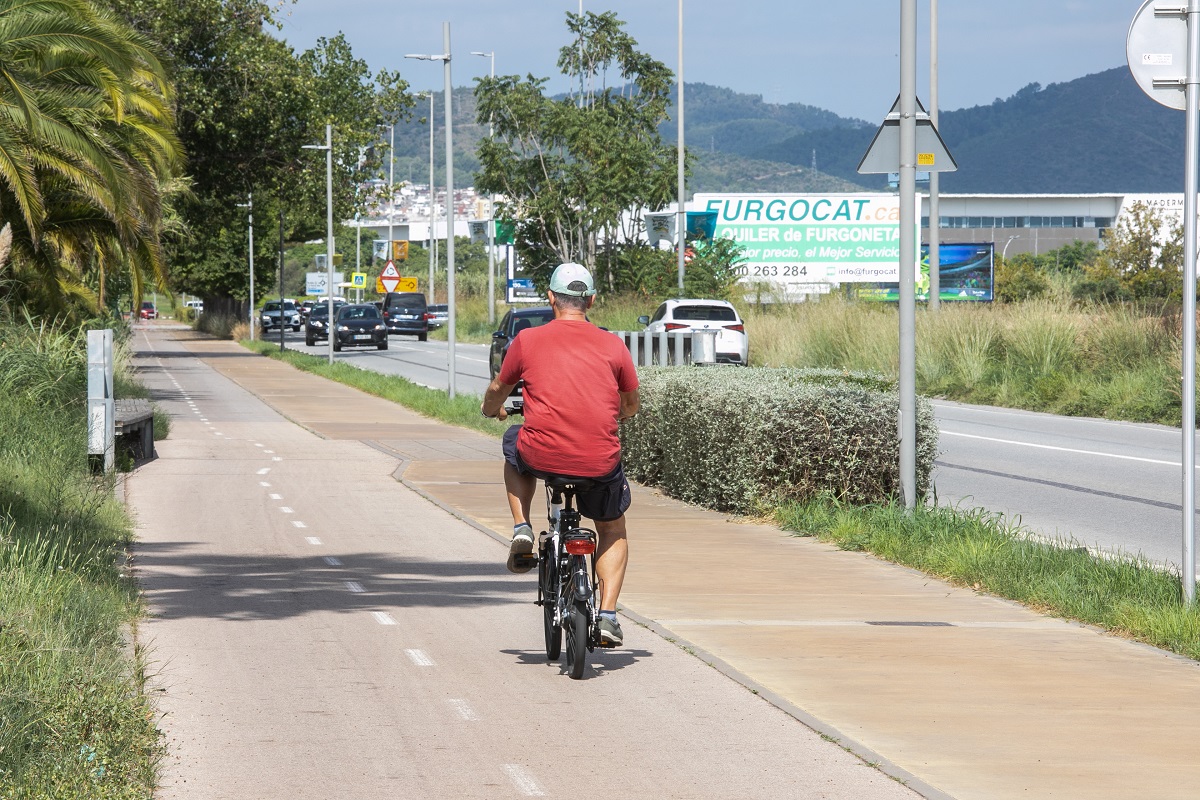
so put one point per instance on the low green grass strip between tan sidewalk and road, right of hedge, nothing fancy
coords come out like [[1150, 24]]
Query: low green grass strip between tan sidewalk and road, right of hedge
[[981, 551]]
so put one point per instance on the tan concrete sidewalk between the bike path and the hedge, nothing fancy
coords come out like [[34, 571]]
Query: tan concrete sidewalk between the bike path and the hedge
[[956, 694]]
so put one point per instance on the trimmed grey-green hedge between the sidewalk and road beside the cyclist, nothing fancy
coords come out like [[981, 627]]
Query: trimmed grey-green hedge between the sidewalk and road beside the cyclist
[[742, 440]]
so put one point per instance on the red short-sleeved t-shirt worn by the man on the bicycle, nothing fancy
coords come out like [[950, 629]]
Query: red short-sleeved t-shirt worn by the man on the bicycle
[[574, 374]]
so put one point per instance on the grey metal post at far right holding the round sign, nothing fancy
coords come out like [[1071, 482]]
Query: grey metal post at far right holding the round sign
[[1192, 184]]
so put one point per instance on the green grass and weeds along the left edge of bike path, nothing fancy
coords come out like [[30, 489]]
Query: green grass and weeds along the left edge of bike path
[[75, 720]]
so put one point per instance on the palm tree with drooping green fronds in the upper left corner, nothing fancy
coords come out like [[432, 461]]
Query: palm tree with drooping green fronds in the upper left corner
[[87, 146]]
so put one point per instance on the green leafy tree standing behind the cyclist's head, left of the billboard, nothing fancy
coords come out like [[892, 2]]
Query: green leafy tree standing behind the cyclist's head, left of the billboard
[[574, 170]]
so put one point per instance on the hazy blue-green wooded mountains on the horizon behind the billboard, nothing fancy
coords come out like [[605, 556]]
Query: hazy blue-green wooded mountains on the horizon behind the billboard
[[1095, 135]]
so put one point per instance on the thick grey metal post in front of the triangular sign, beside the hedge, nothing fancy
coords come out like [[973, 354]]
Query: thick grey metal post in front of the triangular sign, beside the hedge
[[908, 423]]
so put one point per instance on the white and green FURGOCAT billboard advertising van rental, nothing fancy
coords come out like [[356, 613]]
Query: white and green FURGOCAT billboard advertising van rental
[[793, 240]]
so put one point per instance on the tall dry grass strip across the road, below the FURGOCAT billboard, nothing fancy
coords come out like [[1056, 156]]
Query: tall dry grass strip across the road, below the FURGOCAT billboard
[[1049, 356]]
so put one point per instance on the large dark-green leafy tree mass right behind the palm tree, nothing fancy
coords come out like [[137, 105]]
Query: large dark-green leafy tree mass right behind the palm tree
[[248, 105]]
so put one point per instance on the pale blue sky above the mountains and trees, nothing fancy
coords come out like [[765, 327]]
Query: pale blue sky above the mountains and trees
[[842, 56]]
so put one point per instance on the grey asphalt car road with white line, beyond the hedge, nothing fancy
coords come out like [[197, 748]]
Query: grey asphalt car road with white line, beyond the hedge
[[1113, 486]]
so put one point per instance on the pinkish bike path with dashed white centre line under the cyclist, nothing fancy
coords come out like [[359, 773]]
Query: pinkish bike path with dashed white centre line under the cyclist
[[317, 630]]
